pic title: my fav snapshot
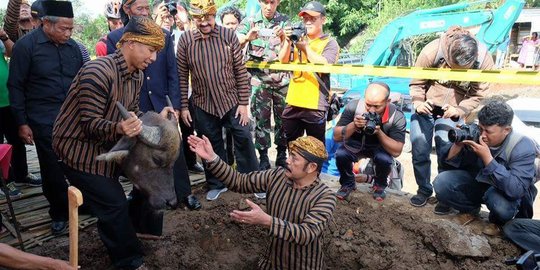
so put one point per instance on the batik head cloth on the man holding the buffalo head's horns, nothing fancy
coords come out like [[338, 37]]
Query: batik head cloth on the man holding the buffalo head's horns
[[143, 30]]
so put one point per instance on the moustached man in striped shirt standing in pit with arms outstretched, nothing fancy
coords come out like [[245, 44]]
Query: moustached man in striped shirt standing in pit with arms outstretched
[[299, 205]]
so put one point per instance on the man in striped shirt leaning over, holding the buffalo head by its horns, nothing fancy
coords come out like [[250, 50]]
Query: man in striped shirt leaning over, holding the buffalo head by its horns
[[89, 124]]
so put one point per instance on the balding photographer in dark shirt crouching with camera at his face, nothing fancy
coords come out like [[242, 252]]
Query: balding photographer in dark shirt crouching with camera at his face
[[372, 128]]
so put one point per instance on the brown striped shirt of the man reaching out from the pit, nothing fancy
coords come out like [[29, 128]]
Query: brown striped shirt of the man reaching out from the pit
[[299, 215]]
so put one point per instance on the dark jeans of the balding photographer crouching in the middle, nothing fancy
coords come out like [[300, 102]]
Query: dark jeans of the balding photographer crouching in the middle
[[382, 160]]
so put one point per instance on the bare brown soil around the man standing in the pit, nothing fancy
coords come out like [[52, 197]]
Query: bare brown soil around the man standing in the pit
[[364, 234]]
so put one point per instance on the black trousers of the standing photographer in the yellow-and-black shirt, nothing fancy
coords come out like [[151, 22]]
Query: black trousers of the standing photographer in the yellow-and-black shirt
[[295, 128]]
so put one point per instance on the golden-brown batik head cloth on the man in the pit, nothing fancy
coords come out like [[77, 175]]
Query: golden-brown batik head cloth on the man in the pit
[[310, 148]]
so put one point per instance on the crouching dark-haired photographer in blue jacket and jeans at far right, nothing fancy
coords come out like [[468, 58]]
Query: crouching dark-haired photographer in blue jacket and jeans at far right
[[492, 165]]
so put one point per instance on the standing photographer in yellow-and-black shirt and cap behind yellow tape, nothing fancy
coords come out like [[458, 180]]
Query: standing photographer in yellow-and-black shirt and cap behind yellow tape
[[308, 93]]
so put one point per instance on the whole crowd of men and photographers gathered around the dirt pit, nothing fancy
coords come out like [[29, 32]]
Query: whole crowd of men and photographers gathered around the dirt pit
[[53, 96]]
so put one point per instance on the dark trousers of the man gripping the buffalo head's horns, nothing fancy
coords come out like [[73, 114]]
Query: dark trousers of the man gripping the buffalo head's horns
[[105, 198]]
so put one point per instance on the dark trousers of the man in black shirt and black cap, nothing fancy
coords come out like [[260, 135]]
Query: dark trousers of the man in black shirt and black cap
[[54, 183]]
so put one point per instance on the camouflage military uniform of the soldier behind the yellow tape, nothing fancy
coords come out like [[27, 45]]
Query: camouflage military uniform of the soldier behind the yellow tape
[[268, 88]]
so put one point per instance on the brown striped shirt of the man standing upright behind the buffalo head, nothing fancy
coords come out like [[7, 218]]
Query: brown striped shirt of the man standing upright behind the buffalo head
[[219, 78]]
